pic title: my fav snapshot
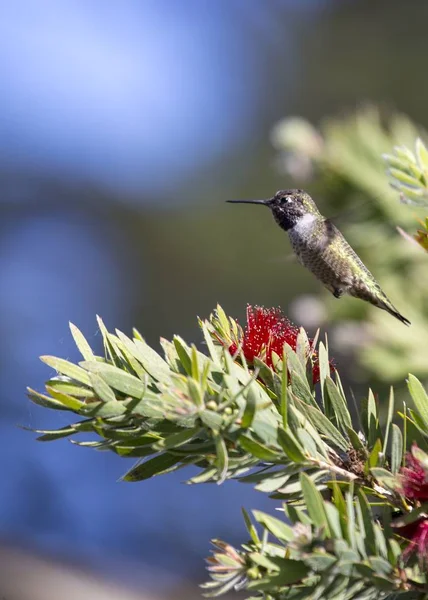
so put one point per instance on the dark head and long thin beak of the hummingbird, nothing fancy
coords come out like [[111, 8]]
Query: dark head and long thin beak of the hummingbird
[[288, 207]]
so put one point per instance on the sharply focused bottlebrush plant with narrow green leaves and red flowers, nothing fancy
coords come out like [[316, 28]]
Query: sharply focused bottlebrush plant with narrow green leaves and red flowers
[[265, 405]]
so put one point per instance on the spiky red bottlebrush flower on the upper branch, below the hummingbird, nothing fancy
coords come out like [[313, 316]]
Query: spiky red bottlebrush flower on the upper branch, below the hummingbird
[[266, 332]]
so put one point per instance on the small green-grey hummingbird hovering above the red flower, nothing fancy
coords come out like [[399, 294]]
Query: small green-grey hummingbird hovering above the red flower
[[321, 248]]
